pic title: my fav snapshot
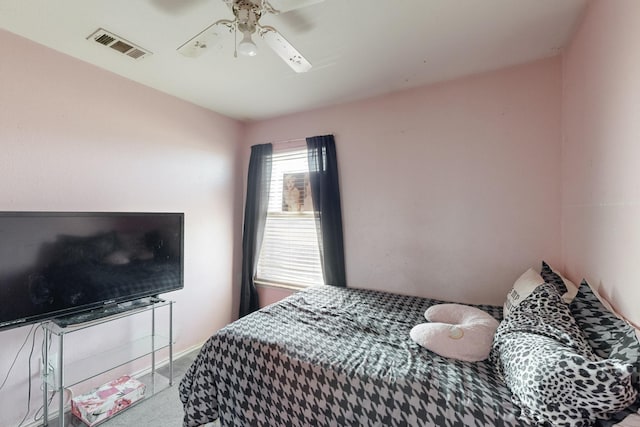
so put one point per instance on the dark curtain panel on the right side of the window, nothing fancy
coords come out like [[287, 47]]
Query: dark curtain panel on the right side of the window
[[325, 191]]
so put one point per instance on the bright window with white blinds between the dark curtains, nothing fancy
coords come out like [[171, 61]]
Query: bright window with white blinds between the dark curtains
[[290, 254]]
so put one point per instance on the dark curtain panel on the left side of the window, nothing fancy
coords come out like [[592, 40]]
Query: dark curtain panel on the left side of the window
[[255, 217]]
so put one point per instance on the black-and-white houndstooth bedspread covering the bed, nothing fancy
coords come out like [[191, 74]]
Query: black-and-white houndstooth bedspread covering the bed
[[331, 356]]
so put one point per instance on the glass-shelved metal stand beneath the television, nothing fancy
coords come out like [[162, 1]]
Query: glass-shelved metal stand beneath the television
[[58, 375]]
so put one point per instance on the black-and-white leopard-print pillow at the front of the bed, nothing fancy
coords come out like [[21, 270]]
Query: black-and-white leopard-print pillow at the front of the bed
[[553, 374]]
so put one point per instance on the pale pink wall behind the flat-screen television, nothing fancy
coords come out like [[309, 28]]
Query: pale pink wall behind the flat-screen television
[[75, 137]]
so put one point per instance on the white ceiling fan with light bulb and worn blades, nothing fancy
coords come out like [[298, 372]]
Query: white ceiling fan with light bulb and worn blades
[[247, 14]]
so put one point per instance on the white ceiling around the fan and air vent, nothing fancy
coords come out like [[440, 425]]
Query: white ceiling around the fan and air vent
[[358, 48]]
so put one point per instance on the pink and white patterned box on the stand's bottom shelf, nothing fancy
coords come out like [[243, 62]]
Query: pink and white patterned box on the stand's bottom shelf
[[94, 407]]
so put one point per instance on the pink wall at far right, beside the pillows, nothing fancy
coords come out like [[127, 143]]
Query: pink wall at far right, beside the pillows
[[601, 150]]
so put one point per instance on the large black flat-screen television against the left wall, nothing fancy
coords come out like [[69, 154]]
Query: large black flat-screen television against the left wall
[[55, 264]]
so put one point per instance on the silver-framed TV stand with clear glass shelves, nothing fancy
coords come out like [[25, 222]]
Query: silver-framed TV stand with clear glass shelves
[[102, 358]]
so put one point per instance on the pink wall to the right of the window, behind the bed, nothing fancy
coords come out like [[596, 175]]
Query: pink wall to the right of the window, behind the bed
[[449, 191]]
